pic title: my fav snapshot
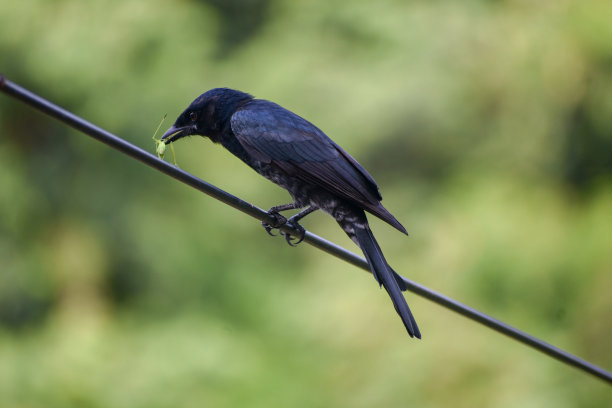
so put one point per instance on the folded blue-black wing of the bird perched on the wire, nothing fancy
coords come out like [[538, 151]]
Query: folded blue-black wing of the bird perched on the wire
[[272, 134]]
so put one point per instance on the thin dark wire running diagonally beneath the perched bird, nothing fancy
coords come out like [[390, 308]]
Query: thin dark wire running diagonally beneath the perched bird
[[137, 153]]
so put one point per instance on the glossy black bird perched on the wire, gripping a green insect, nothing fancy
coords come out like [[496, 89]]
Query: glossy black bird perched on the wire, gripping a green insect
[[296, 155]]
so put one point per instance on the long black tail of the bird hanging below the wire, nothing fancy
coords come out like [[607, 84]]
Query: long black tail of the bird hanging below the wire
[[362, 235]]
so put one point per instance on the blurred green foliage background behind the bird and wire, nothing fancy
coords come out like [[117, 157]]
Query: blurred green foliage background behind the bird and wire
[[487, 125]]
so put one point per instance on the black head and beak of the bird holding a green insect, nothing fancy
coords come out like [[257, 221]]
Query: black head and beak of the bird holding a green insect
[[207, 115]]
